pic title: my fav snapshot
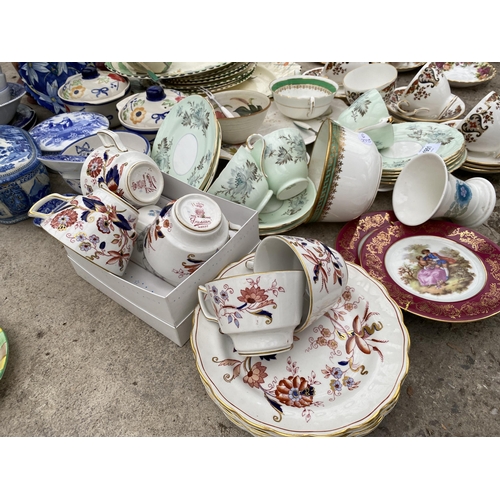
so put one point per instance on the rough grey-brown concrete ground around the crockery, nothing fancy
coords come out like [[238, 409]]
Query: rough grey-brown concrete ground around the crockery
[[81, 365]]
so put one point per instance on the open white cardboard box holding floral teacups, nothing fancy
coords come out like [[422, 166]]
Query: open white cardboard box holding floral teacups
[[166, 308]]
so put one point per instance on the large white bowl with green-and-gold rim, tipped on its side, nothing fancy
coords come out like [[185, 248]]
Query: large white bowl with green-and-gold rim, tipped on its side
[[346, 168]]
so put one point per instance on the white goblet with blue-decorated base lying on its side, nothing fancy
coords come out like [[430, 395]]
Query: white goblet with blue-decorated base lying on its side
[[426, 190]]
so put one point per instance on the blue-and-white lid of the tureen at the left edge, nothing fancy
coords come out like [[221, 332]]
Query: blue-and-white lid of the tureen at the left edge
[[18, 153]]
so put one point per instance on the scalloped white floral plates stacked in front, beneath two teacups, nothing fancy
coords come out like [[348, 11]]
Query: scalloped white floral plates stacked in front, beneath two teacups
[[341, 377]]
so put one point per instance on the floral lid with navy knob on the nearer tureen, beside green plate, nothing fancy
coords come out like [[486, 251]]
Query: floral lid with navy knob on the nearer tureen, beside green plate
[[147, 110]]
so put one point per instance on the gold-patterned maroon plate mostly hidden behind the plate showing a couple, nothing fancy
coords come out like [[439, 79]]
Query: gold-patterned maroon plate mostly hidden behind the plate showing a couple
[[352, 236]]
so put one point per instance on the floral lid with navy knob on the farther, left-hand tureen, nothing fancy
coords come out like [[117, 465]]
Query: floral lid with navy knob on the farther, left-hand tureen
[[93, 86]]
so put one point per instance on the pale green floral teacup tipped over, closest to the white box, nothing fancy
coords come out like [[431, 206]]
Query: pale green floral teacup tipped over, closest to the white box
[[243, 181]]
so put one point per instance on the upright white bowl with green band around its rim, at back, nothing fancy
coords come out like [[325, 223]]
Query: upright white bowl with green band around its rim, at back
[[303, 97]]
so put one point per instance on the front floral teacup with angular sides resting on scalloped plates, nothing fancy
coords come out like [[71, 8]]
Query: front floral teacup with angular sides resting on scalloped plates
[[259, 311]]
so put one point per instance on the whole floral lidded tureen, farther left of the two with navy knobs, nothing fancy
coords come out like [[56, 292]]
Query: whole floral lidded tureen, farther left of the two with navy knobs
[[95, 91]]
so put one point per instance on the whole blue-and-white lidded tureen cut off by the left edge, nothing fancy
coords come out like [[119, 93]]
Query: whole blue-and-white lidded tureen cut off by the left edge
[[23, 179]]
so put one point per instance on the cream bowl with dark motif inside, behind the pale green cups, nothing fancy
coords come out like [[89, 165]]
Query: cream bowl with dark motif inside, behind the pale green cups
[[252, 108]]
